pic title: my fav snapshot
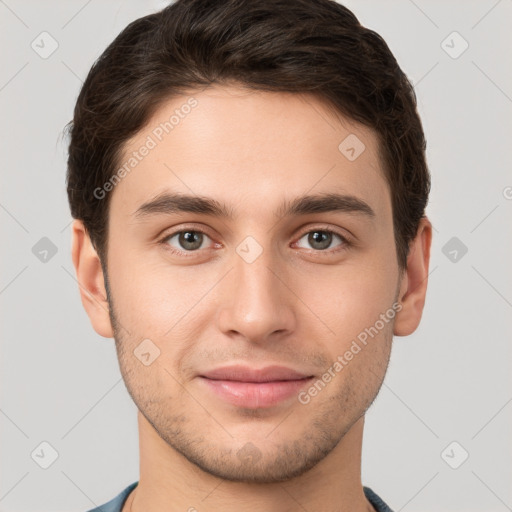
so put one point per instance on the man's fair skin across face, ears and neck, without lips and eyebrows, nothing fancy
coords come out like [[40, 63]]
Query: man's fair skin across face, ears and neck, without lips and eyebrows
[[296, 305]]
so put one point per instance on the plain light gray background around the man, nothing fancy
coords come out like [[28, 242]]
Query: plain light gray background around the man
[[448, 382]]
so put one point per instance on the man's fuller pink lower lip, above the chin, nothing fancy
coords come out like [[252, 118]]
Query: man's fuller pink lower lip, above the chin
[[256, 395]]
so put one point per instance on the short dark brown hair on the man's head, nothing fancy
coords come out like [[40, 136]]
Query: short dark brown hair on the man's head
[[302, 46]]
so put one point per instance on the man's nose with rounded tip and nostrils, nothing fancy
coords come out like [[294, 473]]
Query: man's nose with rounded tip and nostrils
[[256, 302]]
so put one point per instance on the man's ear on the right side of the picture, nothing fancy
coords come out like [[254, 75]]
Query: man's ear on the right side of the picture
[[413, 287]]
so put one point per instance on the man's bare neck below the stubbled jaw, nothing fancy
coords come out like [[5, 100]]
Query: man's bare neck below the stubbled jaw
[[168, 481]]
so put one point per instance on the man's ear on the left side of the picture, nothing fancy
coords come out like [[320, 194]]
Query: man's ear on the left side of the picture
[[90, 280]]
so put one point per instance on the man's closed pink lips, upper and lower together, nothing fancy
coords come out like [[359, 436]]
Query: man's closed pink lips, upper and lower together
[[248, 387]]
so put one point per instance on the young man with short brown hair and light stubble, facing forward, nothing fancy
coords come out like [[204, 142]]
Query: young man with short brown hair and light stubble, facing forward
[[249, 184]]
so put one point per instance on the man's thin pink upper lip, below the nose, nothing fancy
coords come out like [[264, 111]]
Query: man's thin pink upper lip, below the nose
[[247, 374]]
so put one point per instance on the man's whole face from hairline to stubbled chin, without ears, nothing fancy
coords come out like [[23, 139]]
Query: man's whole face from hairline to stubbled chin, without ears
[[253, 325]]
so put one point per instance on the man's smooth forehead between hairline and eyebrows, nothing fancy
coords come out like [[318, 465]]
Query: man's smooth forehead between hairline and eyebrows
[[248, 149]]
